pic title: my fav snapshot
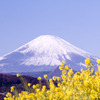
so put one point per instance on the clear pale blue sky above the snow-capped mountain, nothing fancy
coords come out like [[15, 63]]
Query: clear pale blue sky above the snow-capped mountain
[[76, 21]]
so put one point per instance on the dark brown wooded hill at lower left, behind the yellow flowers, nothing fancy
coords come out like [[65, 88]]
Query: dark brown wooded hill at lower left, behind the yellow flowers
[[6, 81]]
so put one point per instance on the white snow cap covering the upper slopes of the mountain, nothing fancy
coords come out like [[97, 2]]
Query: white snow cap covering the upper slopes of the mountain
[[49, 50]]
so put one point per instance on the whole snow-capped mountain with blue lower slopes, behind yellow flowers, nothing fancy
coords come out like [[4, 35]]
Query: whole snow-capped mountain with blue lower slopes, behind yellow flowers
[[44, 55]]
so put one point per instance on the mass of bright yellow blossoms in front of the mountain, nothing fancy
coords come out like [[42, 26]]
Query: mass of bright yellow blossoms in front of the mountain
[[84, 85]]
